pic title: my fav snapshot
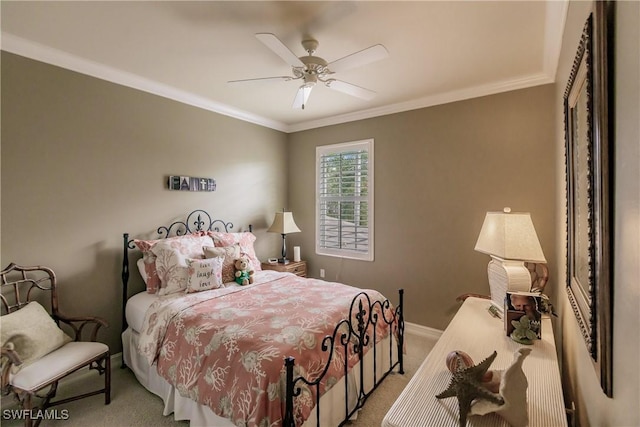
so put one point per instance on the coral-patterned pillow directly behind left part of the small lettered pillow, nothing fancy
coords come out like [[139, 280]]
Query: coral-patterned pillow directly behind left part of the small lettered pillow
[[171, 260]]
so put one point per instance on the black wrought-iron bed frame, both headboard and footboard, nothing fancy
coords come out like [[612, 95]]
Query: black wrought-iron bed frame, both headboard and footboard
[[346, 335]]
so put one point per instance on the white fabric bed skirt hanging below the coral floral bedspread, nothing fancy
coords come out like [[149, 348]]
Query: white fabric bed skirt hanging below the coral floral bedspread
[[332, 403]]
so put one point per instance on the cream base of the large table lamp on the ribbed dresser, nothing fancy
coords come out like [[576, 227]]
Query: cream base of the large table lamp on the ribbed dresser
[[507, 275]]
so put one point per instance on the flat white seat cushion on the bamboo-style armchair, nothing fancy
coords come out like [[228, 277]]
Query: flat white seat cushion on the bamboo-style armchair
[[57, 364]]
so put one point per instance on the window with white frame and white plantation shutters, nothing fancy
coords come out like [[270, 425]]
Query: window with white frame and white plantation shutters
[[344, 200]]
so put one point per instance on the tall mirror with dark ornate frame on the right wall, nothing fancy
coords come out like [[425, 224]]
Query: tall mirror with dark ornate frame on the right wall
[[588, 137]]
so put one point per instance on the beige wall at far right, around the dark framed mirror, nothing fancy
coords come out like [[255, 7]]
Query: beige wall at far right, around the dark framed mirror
[[594, 408]]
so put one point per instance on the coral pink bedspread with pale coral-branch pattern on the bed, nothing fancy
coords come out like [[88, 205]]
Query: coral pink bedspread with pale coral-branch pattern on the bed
[[225, 348]]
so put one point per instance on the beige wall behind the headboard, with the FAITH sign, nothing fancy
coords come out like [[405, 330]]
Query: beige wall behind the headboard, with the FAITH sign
[[84, 160]]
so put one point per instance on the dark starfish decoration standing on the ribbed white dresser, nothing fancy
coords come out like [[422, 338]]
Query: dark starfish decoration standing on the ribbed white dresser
[[466, 385]]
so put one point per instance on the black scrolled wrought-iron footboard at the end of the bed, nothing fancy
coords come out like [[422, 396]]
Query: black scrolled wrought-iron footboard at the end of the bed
[[356, 337]]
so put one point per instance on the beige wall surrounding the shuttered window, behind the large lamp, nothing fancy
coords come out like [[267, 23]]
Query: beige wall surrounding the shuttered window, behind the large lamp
[[438, 171]]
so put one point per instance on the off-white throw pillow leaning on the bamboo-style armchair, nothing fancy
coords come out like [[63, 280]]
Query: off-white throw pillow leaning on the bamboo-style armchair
[[32, 331]]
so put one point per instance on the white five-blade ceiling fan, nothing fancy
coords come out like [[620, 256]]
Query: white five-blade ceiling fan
[[312, 69]]
